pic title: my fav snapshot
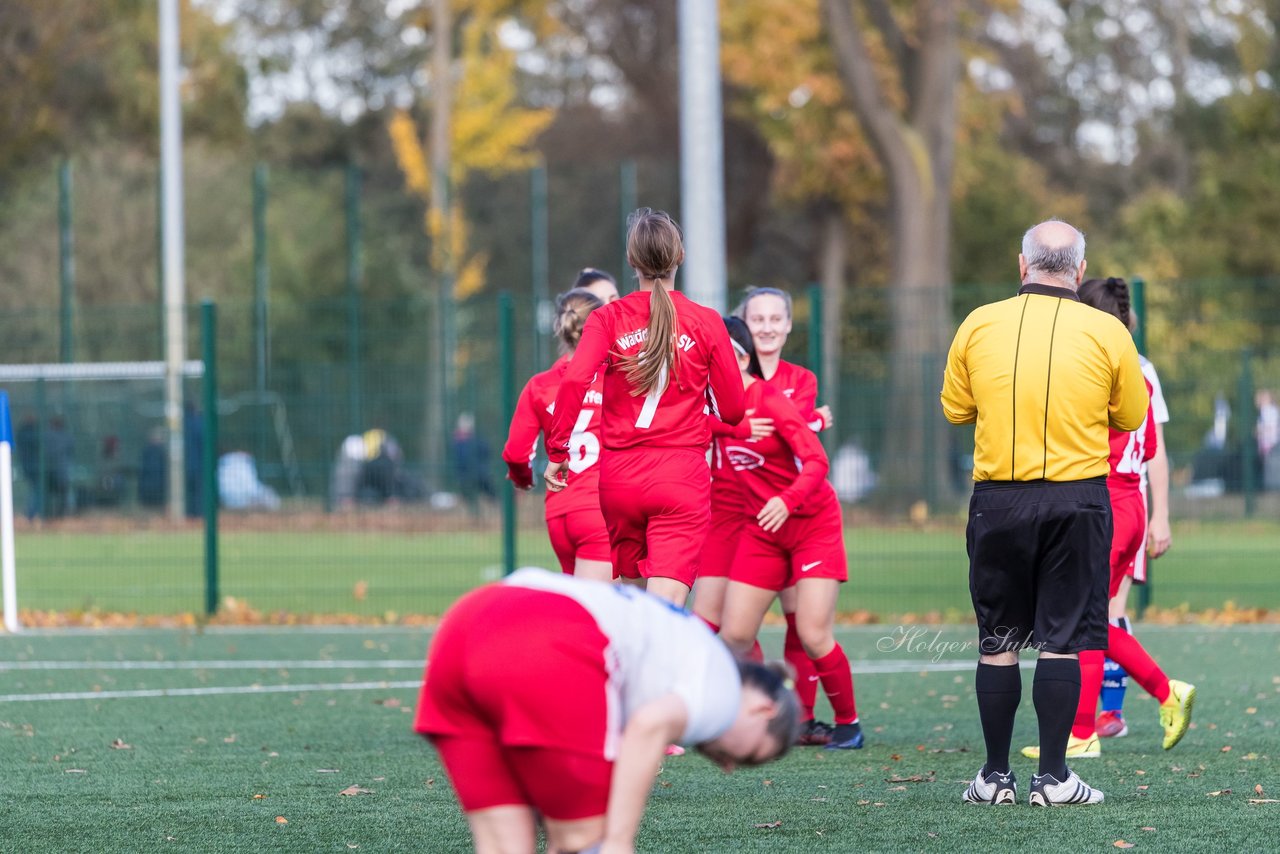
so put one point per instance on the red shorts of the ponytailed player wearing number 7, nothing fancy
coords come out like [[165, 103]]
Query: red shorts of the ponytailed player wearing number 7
[[657, 506]]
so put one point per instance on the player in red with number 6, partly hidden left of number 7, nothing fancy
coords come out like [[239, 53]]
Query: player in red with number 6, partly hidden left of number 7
[[574, 520]]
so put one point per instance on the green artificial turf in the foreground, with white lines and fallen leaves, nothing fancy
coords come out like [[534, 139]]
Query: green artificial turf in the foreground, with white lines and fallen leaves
[[189, 779]]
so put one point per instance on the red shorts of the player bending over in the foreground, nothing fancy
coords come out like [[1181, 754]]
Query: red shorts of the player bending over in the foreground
[[518, 700]]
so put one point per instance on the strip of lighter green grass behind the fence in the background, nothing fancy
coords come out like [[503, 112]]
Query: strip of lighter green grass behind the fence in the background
[[893, 570]]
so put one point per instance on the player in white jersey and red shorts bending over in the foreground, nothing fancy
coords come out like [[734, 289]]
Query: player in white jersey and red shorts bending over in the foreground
[[552, 700]]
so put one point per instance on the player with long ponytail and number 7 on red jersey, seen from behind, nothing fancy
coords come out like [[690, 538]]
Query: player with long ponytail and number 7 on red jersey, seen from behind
[[666, 362]]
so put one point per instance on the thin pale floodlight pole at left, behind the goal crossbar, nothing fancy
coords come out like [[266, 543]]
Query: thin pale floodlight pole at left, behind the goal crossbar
[[172, 232]]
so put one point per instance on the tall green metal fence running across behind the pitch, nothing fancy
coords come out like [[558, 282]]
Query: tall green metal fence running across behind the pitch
[[326, 317]]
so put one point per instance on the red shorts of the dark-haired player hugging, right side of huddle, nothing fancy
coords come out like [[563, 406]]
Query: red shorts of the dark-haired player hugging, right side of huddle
[[806, 547]]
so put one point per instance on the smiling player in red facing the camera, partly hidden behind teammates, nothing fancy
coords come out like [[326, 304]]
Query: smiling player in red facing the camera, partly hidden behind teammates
[[767, 313]]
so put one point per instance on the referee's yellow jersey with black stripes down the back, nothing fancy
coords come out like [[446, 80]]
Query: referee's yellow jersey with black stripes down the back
[[1044, 377]]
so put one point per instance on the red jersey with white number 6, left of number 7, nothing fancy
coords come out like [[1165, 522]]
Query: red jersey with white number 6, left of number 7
[[533, 417]]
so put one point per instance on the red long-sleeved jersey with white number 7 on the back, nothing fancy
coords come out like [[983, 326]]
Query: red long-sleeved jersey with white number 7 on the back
[[676, 415]]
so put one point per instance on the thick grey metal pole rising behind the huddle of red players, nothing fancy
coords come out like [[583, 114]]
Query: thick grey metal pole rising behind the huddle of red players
[[702, 153]]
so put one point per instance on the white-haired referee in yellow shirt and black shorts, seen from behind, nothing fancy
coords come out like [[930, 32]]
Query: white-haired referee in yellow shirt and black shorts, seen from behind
[[1044, 377]]
